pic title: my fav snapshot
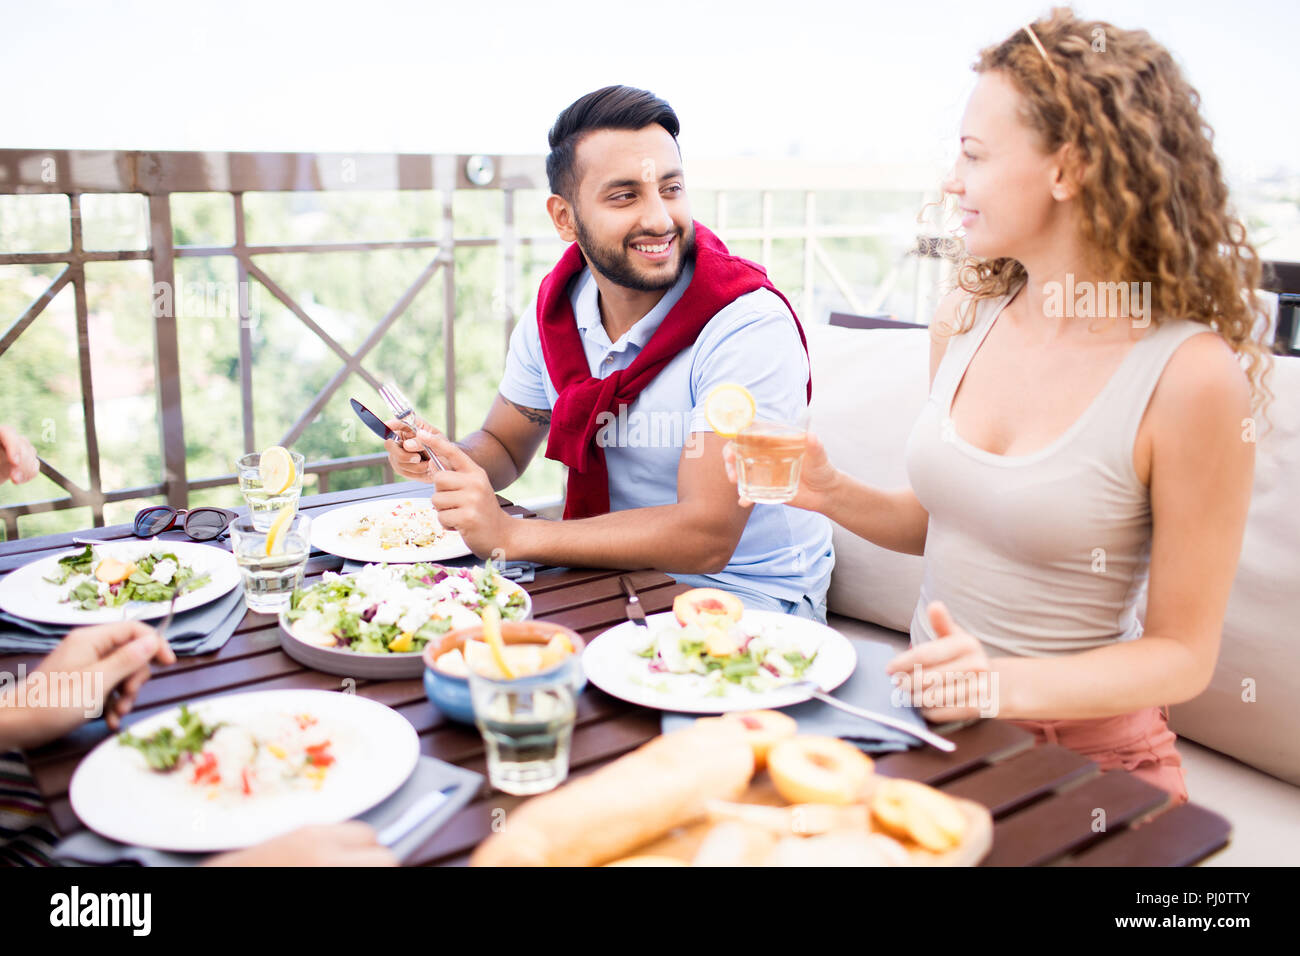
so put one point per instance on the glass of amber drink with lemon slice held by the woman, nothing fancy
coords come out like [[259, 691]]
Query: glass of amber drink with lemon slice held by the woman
[[769, 455]]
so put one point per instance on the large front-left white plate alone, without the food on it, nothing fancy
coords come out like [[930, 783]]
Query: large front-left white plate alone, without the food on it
[[116, 795]]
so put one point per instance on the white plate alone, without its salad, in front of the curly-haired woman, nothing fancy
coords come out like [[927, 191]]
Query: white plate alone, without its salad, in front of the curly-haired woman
[[612, 663]]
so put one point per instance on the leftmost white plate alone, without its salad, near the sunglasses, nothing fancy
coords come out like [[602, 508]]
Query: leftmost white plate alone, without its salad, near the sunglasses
[[25, 594]]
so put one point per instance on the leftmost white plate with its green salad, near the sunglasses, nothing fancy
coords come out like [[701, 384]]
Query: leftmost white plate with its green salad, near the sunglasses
[[96, 585]]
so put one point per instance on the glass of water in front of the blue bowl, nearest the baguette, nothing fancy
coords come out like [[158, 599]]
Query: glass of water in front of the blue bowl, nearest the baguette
[[527, 726]]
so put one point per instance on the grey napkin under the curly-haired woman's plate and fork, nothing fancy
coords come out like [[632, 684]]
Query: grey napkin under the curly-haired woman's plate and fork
[[868, 687]]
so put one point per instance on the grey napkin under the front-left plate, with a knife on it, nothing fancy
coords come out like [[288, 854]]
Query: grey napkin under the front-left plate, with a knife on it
[[92, 850]]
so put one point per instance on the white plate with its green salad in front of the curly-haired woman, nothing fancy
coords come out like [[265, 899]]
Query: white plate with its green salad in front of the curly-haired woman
[[749, 665]]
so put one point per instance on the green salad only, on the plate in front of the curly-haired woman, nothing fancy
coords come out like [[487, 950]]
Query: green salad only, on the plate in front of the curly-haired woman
[[713, 661]]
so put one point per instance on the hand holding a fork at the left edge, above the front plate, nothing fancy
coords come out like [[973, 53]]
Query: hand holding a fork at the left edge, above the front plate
[[94, 671]]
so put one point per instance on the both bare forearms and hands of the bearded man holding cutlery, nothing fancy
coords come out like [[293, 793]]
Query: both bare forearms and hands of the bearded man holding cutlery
[[696, 535]]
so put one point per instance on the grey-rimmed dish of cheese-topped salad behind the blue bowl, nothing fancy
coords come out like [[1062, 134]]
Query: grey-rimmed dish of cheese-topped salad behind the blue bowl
[[376, 622]]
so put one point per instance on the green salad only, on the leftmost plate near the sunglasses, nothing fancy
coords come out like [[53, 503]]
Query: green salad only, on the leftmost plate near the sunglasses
[[92, 581]]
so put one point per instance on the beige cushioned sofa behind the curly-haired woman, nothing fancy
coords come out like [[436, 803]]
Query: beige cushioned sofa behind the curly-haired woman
[[1242, 756]]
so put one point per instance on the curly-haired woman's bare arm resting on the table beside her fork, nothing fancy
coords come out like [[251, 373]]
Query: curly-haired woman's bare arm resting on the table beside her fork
[[1202, 471]]
